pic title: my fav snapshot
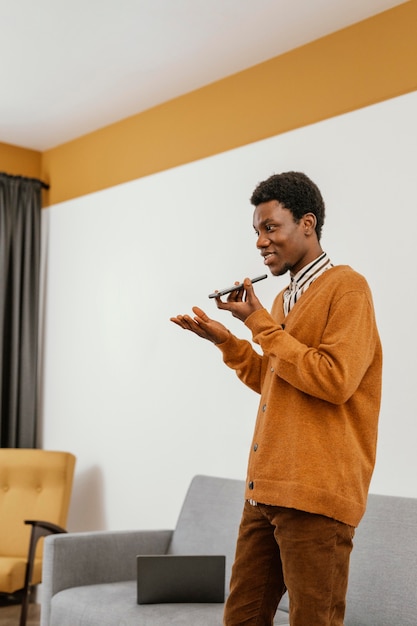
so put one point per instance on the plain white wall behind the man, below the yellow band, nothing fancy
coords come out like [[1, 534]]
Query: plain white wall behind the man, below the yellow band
[[145, 405]]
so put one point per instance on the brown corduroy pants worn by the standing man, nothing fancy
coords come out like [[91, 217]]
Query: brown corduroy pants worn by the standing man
[[279, 549]]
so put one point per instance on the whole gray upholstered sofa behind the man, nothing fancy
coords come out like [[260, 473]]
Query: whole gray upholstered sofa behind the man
[[89, 579]]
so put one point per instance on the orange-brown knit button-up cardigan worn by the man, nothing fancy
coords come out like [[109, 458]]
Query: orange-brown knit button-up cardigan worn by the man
[[319, 377]]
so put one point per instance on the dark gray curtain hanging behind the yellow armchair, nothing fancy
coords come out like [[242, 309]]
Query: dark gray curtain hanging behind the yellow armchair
[[20, 215]]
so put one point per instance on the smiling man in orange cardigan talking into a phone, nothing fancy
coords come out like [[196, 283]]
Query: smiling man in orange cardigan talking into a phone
[[314, 444]]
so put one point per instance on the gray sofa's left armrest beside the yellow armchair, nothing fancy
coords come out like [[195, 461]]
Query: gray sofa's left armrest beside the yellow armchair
[[88, 558]]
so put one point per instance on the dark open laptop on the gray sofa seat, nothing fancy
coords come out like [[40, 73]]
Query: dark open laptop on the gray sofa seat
[[180, 578]]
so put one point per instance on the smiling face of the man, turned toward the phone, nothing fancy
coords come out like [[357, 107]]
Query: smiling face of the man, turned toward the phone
[[284, 243]]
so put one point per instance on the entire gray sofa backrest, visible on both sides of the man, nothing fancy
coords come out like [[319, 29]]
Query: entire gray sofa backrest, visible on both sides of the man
[[383, 570]]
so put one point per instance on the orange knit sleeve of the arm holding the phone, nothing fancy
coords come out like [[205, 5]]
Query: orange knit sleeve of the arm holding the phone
[[332, 365]]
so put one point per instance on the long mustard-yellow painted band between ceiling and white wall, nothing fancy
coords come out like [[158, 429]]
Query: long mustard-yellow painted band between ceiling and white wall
[[369, 62]]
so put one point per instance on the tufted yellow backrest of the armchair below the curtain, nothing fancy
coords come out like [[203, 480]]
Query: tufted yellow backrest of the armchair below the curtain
[[35, 485]]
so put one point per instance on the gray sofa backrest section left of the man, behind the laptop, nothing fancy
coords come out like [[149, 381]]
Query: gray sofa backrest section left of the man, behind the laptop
[[209, 519]]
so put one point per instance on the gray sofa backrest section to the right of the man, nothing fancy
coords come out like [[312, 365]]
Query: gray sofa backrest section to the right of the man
[[383, 571]]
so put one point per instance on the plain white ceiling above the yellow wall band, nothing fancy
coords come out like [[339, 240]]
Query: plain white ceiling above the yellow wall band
[[69, 67]]
